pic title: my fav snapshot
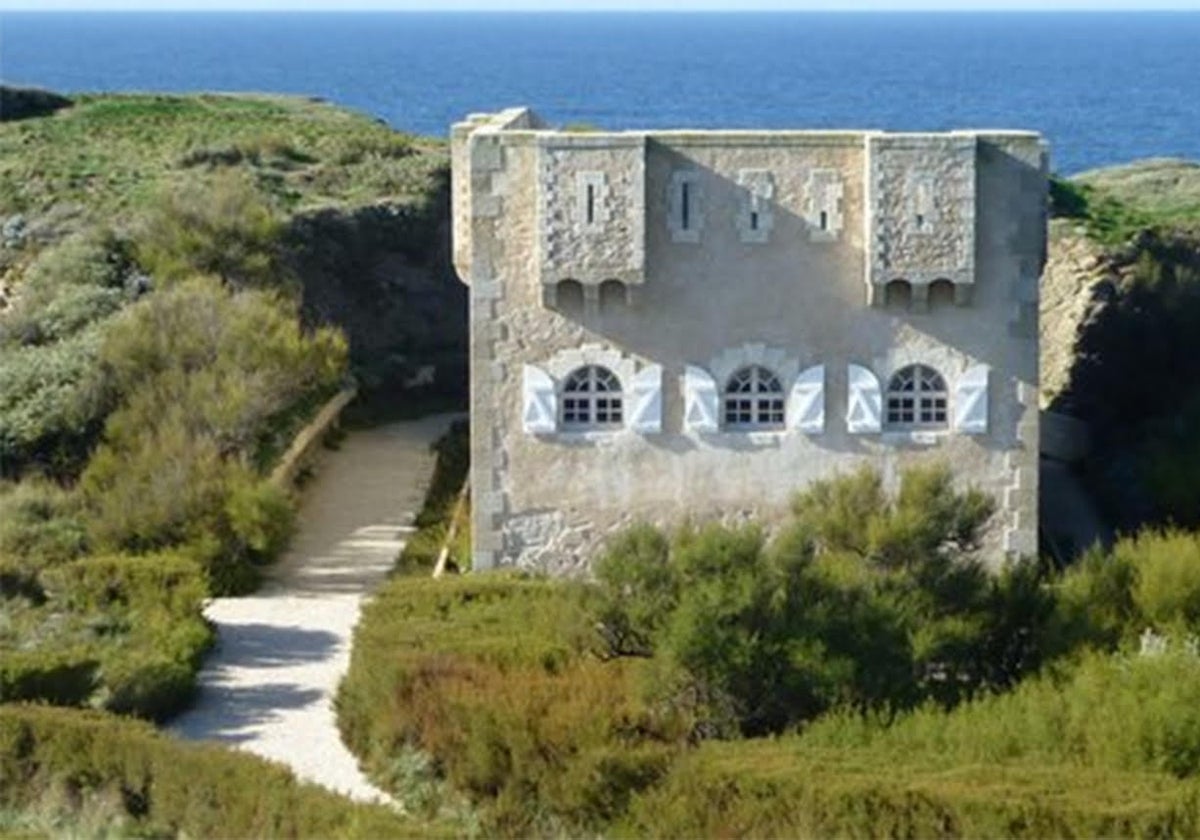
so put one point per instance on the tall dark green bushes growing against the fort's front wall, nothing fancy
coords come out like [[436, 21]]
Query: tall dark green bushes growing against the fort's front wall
[[862, 601]]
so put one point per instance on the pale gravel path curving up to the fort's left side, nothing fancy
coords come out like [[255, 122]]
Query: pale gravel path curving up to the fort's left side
[[269, 686]]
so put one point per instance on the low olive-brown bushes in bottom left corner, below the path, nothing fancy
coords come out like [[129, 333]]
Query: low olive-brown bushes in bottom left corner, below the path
[[163, 788]]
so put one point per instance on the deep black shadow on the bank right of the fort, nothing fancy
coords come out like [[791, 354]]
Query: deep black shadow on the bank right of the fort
[[1136, 381]]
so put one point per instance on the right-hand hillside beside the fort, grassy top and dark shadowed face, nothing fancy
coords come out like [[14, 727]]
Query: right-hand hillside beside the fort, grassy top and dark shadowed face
[[1127, 381]]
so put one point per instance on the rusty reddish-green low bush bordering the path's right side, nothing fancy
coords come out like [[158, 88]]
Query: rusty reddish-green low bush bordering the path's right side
[[500, 682]]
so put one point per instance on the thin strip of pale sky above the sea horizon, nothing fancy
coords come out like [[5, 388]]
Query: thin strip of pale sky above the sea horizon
[[597, 5]]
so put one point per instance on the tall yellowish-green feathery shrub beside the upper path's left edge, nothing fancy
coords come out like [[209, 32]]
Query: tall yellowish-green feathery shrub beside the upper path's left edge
[[205, 375]]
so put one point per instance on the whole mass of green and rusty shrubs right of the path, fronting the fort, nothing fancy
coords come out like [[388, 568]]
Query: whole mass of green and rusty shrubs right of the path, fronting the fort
[[902, 691]]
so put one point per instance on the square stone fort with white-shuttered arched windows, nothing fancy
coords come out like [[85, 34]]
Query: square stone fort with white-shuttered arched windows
[[700, 323]]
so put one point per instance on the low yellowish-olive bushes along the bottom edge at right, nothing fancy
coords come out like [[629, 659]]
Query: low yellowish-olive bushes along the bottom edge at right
[[781, 789]]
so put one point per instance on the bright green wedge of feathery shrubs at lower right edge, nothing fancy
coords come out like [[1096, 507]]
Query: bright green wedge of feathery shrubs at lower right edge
[[1119, 713]]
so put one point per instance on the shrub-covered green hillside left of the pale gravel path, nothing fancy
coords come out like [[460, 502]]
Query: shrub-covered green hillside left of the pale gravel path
[[158, 353]]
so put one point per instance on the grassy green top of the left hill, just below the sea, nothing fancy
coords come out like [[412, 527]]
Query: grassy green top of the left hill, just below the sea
[[107, 154]]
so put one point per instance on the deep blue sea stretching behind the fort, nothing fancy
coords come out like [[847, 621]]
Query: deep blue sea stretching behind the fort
[[1103, 88]]
